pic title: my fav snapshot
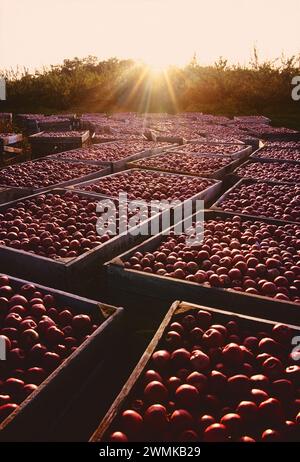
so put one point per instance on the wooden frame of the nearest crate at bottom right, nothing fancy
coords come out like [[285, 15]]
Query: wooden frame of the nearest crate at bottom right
[[177, 309]]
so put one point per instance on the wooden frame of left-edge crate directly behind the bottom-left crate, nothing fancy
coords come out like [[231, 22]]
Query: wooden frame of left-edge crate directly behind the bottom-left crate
[[76, 275]]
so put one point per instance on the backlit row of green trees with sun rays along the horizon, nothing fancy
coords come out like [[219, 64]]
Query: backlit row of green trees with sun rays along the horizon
[[90, 85]]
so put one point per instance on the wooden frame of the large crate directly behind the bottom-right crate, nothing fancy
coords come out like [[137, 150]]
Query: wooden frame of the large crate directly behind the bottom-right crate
[[151, 287]]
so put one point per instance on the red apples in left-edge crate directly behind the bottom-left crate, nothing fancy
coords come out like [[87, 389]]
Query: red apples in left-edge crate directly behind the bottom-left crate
[[60, 226]]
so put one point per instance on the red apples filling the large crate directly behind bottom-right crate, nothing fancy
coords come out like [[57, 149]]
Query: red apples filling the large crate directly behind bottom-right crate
[[254, 257]]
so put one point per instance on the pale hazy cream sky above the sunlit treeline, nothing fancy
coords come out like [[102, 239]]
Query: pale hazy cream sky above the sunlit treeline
[[35, 32]]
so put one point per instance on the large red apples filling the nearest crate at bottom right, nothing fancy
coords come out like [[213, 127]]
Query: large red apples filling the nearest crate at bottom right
[[213, 406]]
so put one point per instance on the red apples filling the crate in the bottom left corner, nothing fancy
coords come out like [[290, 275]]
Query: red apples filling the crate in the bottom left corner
[[35, 353]]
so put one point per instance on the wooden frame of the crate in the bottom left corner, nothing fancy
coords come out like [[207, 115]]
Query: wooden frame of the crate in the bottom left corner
[[39, 411]]
